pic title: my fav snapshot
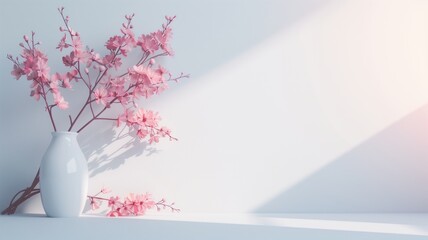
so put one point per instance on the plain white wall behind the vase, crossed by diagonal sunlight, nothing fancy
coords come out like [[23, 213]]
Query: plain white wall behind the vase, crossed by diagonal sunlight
[[293, 106]]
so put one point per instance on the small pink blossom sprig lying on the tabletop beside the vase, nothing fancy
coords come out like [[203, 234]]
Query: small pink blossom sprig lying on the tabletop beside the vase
[[132, 205]]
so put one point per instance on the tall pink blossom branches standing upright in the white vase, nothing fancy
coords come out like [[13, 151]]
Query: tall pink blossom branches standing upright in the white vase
[[100, 74]]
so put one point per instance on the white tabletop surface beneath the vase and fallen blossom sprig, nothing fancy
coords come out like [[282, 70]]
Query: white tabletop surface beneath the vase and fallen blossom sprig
[[218, 226]]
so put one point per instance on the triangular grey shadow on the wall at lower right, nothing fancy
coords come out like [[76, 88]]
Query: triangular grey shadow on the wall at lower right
[[386, 173]]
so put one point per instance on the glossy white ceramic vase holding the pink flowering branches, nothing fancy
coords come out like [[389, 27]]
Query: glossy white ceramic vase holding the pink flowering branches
[[63, 176]]
